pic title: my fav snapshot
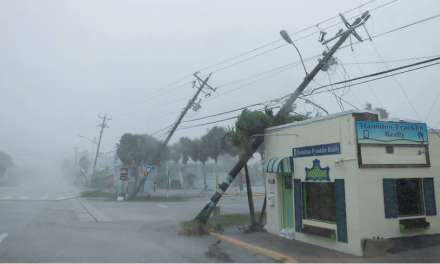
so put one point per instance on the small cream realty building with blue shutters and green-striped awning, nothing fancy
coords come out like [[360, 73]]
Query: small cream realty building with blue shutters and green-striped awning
[[337, 180]]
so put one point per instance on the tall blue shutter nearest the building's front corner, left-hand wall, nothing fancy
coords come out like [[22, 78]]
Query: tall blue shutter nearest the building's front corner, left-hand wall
[[341, 214]]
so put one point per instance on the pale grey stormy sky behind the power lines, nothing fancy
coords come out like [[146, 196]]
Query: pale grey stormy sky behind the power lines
[[64, 62]]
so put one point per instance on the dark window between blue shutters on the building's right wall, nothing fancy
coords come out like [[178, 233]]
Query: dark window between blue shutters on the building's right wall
[[409, 197]]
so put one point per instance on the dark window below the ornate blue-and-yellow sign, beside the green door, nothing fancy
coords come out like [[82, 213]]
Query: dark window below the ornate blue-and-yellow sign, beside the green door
[[319, 201]]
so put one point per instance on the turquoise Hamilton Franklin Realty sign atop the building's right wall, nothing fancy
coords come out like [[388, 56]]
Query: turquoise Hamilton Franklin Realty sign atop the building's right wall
[[391, 133]]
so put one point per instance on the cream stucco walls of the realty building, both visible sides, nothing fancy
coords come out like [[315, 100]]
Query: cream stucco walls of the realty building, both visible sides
[[363, 186]]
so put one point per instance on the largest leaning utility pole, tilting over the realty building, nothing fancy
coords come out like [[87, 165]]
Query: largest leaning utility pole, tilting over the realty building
[[326, 61]]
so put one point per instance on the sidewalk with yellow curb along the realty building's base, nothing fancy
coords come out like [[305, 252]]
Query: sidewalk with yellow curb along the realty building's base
[[296, 251]]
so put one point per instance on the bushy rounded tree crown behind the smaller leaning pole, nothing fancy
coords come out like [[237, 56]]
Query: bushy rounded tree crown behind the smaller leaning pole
[[135, 148]]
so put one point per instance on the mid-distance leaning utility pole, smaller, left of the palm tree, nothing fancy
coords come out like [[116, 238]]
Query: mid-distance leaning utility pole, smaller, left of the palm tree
[[177, 123]]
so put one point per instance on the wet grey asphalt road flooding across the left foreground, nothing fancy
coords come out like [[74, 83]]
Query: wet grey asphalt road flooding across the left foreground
[[34, 227]]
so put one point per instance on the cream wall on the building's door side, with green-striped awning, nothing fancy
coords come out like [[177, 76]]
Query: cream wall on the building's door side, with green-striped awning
[[339, 129]]
